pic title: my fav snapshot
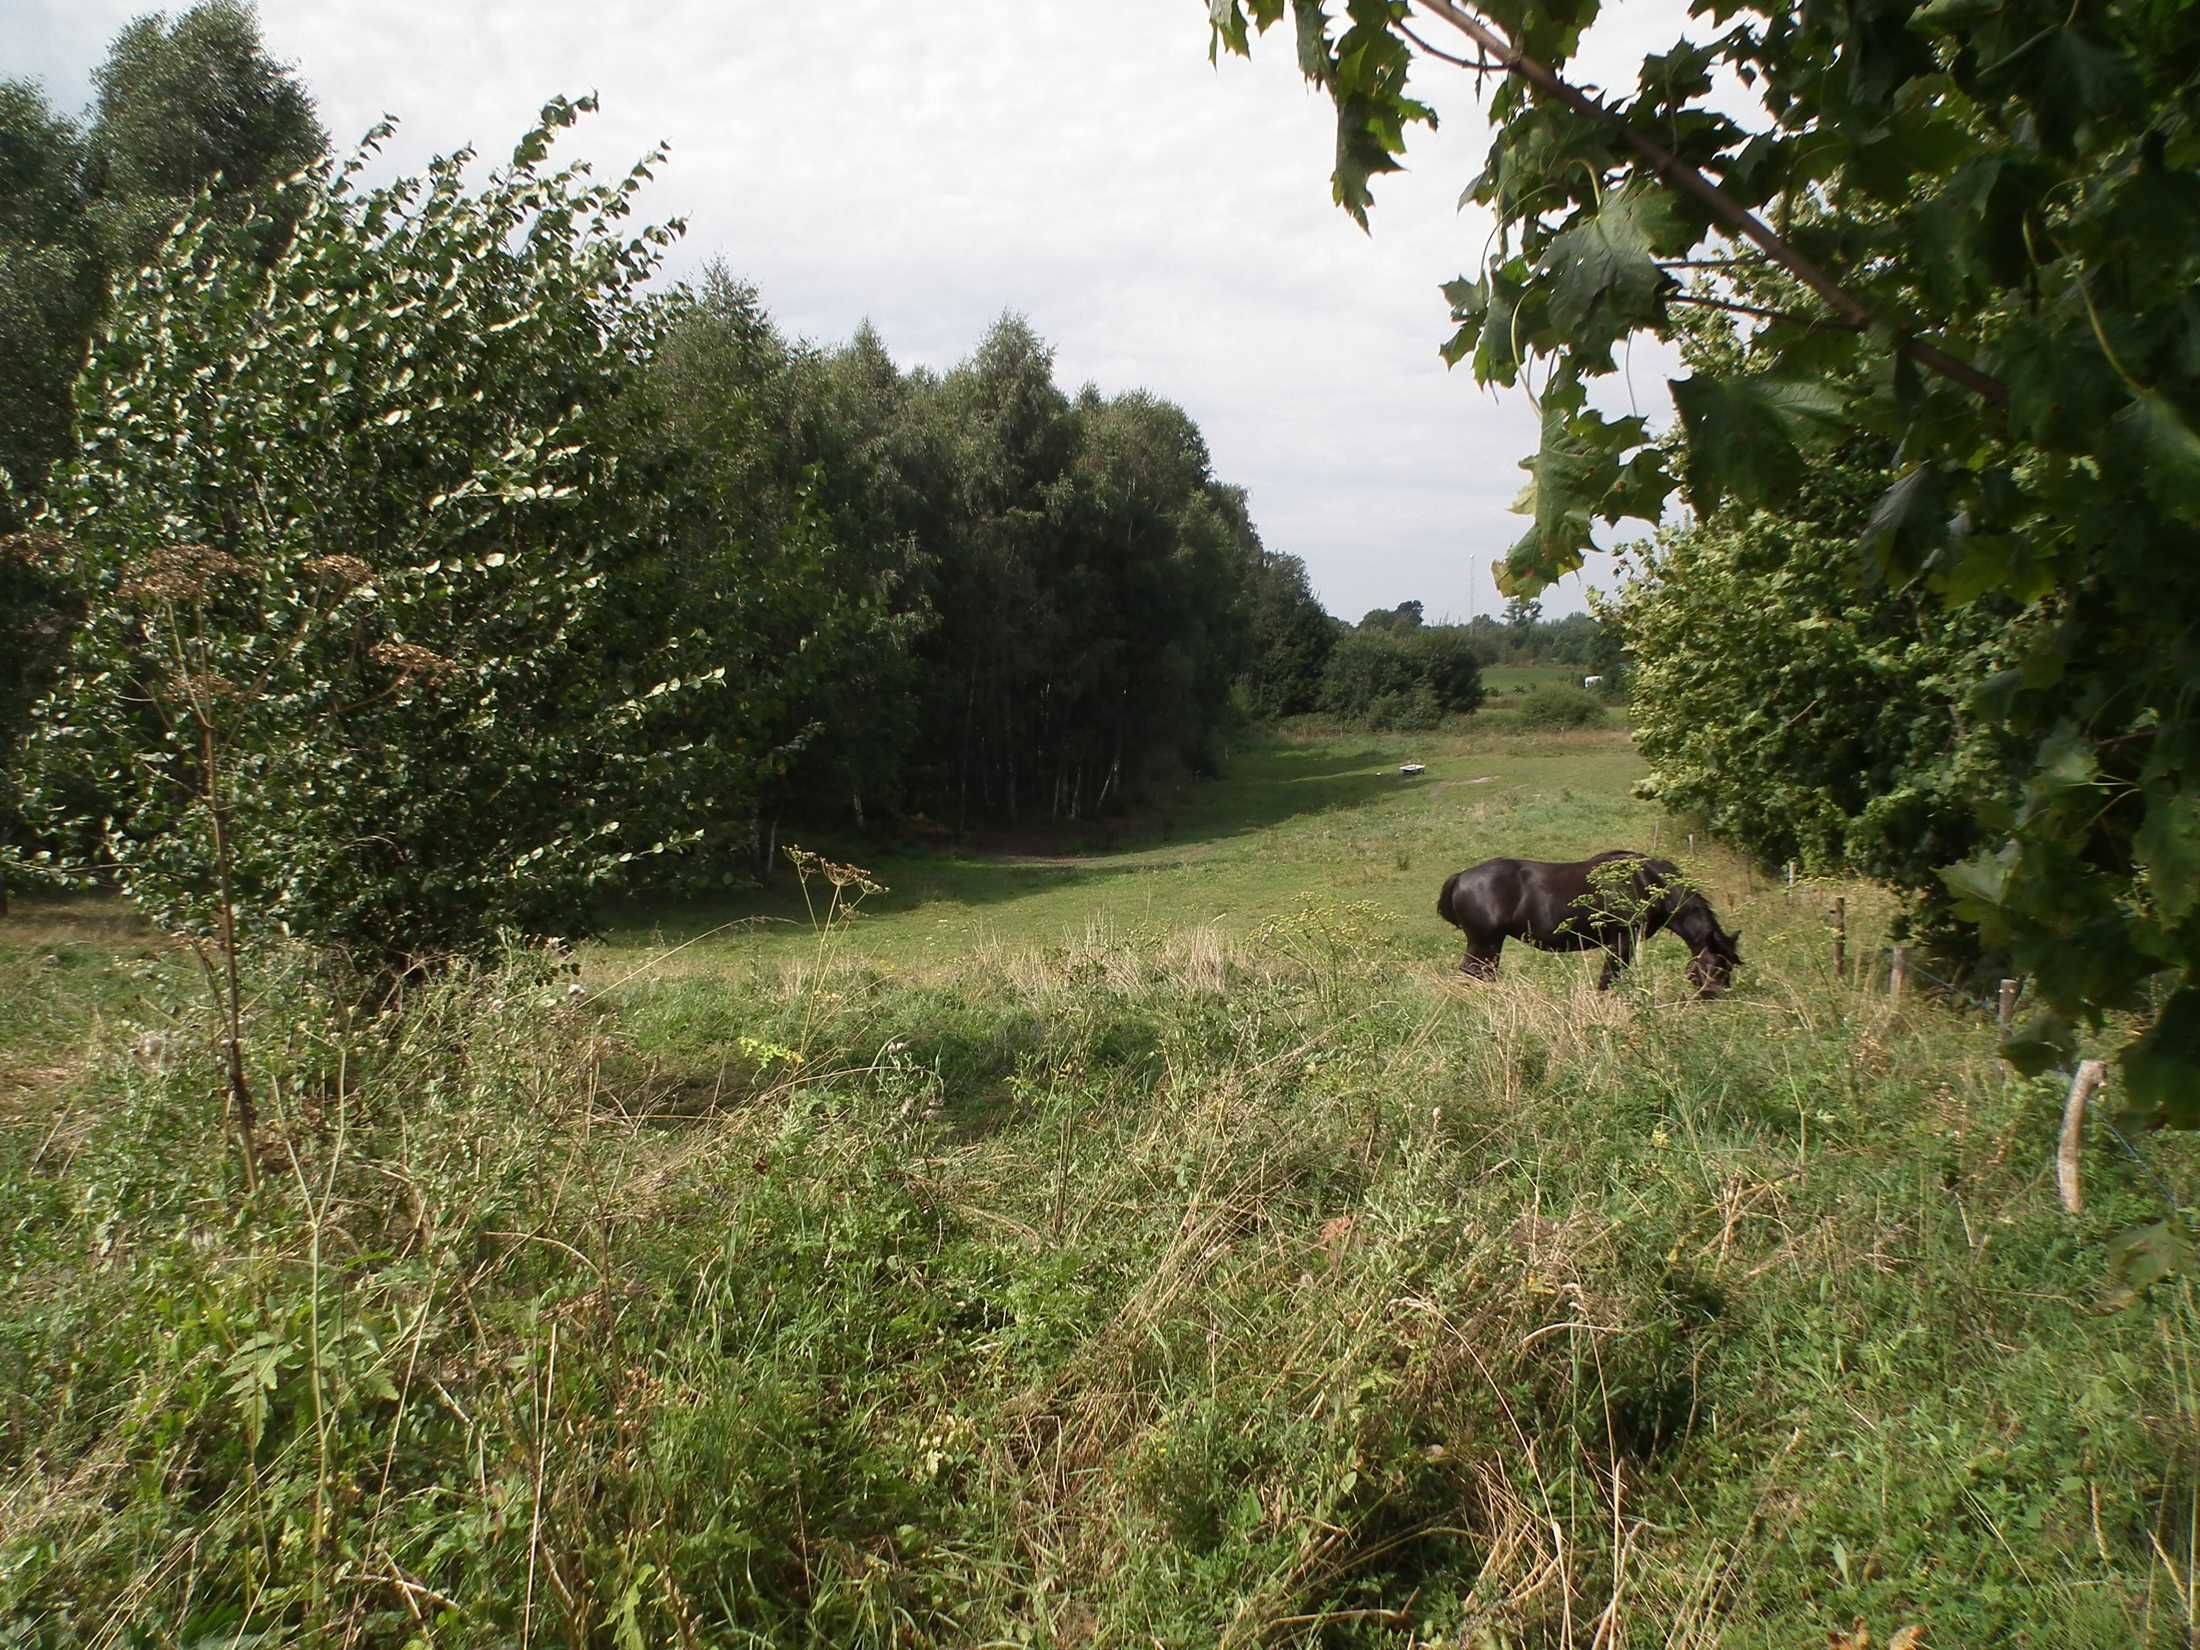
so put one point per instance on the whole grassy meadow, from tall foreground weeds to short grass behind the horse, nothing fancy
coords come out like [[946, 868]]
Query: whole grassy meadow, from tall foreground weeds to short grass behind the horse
[[1141, 1246]]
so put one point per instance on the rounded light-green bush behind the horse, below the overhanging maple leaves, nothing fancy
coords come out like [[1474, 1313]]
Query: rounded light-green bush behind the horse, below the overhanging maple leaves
[[1807, 718]]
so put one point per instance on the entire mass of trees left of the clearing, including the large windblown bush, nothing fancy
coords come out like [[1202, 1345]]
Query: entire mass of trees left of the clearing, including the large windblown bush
[[397, 564]]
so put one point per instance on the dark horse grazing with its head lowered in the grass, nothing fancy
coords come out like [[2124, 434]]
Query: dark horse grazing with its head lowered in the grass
[[1609, 903]]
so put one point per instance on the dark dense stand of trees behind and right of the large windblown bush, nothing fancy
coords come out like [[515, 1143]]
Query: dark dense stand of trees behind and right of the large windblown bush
[[1055, 591]]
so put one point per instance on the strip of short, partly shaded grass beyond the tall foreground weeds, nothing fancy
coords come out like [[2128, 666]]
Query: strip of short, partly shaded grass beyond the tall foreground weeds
[[1332, 819]]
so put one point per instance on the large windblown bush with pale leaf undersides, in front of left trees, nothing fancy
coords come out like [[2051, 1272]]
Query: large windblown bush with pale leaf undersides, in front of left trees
[[375, 641]]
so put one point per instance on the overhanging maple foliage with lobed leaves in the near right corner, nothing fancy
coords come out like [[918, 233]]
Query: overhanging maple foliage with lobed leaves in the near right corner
[[1983, 250]]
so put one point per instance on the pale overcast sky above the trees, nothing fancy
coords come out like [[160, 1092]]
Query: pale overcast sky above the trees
[[1163, 223]]
